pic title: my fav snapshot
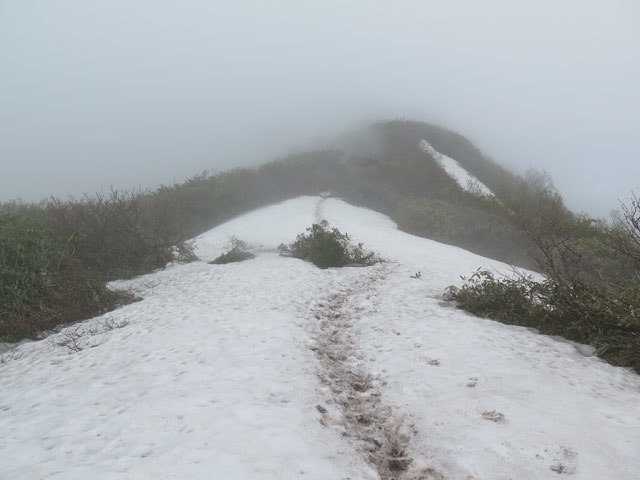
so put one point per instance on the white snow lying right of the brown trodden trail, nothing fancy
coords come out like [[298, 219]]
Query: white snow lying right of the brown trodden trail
[[561, 410]]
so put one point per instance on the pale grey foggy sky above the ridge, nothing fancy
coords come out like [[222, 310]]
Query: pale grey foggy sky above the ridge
[[142, 92]]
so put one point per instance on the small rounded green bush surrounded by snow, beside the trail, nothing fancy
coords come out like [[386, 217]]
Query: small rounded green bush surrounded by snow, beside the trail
[[327, 247]]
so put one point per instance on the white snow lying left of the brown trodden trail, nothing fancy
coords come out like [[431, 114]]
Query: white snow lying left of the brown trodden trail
[[211, 378]]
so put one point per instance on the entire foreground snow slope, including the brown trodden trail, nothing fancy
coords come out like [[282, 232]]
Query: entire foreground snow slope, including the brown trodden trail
[[272, 368]]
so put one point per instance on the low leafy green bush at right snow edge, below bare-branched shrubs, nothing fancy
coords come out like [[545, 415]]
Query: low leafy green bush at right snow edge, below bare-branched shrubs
[[606, 317]]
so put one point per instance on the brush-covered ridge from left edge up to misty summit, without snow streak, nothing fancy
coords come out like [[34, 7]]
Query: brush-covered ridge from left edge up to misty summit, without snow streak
[[68, 249]]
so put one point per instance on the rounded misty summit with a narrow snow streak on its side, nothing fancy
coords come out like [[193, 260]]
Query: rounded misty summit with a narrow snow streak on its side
[[433, 182]]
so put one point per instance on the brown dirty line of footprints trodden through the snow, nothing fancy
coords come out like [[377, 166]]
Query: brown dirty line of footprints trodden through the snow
[[383, 433]]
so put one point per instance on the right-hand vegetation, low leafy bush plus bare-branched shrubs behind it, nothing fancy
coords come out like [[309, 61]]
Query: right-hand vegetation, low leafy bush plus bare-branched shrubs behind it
[[591, 290]]
